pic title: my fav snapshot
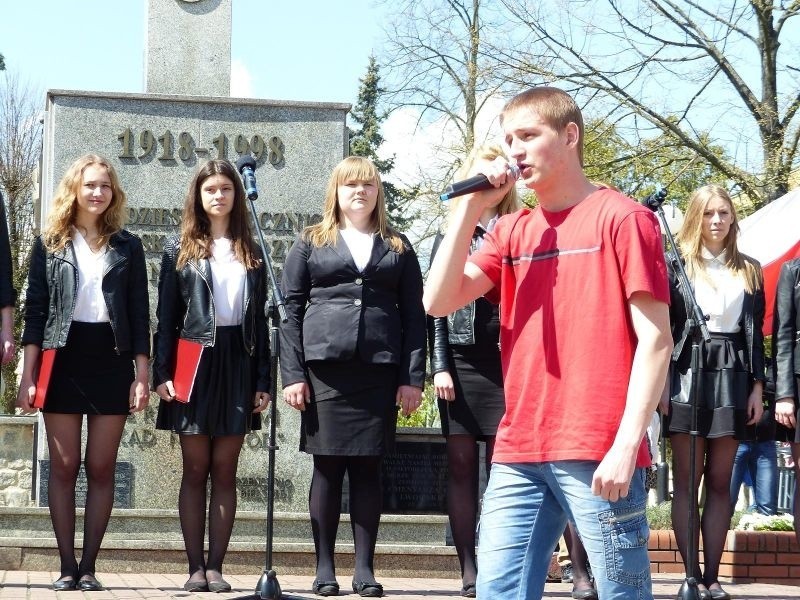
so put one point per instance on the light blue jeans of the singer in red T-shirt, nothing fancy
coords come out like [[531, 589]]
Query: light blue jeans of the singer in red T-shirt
[[525, 509]]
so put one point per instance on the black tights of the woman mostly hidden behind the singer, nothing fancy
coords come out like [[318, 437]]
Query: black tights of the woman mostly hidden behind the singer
[[462, 497]]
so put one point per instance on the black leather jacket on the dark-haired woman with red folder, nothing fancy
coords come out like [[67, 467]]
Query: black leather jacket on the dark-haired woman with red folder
[[186, 310]]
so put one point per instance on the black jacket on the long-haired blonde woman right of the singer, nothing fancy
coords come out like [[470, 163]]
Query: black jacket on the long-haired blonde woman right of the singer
[[751, 321]]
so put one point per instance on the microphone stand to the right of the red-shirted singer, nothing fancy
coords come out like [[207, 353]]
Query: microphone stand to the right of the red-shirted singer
[[699, 331]]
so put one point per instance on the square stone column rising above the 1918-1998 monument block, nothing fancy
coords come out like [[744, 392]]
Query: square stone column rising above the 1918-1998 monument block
[[188, 48]]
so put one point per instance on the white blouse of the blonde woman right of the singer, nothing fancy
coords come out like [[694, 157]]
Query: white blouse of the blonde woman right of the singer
[[720, 295]]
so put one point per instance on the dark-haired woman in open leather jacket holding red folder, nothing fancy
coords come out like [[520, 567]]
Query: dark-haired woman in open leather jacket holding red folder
[[212, 290]]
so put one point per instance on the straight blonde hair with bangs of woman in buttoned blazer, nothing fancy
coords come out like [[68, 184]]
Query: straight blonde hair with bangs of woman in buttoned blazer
[[352, 168]]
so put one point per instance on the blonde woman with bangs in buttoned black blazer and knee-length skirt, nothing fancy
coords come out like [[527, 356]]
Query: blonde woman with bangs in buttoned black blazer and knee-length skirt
[[353, 350]]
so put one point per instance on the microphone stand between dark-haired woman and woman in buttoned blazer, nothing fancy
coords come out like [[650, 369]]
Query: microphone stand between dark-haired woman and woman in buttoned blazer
[[268, 587]]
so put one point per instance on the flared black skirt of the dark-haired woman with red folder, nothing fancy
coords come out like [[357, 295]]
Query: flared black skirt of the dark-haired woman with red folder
[[222, 397]]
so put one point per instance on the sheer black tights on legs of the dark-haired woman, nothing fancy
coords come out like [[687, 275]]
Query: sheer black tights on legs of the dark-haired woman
[[218, 457]]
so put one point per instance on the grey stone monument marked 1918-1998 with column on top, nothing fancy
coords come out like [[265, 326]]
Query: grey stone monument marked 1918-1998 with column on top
[[156, 141]]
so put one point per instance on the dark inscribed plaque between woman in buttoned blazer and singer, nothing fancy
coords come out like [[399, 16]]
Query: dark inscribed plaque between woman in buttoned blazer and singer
[[415, 478]]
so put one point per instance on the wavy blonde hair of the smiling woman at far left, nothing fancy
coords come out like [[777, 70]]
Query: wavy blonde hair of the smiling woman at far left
[[61, 218]]
